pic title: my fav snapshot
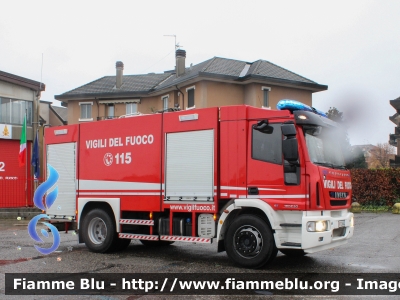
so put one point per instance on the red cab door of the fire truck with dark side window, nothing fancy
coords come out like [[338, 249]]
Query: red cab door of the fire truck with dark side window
[[269, 176]]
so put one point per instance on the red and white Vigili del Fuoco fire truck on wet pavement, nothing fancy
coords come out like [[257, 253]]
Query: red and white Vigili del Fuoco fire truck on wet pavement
[[253, 180]]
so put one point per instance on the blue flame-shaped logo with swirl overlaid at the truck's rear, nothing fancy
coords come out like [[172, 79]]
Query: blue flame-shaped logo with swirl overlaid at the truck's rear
[[49, 200]]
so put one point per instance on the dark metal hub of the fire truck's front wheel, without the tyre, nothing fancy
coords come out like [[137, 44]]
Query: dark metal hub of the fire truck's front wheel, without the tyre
[[248, 241]]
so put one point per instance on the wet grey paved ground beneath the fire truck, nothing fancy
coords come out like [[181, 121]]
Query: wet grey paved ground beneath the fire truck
[[374, 248]]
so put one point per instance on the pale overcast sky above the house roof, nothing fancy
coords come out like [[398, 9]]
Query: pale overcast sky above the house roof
[[351, 46]]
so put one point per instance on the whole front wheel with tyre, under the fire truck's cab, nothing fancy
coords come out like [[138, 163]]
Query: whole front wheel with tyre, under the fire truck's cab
[[249, 242]]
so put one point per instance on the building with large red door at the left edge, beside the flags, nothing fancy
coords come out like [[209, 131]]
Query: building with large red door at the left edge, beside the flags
[[19, 97]]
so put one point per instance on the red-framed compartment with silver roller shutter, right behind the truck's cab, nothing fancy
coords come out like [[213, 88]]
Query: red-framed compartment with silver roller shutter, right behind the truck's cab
[[190, 164]]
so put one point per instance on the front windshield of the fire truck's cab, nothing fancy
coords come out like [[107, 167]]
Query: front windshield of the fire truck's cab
[[323, 148]]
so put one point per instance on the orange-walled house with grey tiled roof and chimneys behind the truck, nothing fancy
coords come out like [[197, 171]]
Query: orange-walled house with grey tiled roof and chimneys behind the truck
[[214, 82]]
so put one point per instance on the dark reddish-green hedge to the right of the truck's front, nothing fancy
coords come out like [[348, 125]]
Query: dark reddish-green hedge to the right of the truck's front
[[380, 187]]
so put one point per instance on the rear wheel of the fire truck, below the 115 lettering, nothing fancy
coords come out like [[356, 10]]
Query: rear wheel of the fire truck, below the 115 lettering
[[99, 232]]
